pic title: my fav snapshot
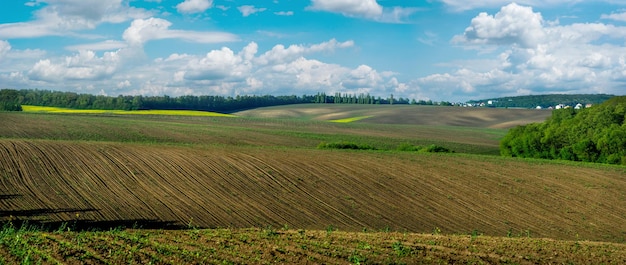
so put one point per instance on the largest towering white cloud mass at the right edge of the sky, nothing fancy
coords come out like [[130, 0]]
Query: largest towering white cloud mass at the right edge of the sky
[[534, 57]]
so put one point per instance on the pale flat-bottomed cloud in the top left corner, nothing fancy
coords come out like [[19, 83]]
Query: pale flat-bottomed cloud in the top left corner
[[65, 17]]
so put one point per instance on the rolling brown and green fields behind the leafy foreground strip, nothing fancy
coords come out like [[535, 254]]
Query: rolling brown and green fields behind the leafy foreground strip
[[239, 172]]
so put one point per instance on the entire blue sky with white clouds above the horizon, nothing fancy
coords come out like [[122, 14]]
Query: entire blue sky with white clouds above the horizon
[[440, 50]]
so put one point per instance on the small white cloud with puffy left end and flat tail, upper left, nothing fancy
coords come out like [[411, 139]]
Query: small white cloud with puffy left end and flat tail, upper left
[[142, 31]]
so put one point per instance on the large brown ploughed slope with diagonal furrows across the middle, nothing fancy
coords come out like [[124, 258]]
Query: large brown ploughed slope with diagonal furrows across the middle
[[305, 188]]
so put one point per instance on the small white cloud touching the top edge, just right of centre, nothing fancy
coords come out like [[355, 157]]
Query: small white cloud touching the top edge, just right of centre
[[352, 8]]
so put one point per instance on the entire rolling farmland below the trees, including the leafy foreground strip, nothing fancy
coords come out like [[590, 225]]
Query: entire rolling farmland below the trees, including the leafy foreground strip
[[278, 198]]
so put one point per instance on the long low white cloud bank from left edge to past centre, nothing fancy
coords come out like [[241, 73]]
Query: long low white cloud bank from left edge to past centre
[[279, 70]]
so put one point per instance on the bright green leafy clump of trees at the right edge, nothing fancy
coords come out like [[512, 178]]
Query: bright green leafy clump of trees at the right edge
[[596, 134]]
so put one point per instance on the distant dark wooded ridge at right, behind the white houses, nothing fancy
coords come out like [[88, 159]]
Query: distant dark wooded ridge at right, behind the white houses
[[544, 101]]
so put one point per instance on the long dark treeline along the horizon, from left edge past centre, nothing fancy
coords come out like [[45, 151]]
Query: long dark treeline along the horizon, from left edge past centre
[[13, 99]]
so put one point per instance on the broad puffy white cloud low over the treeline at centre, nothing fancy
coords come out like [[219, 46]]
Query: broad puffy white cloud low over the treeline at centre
[[281, 69]]
